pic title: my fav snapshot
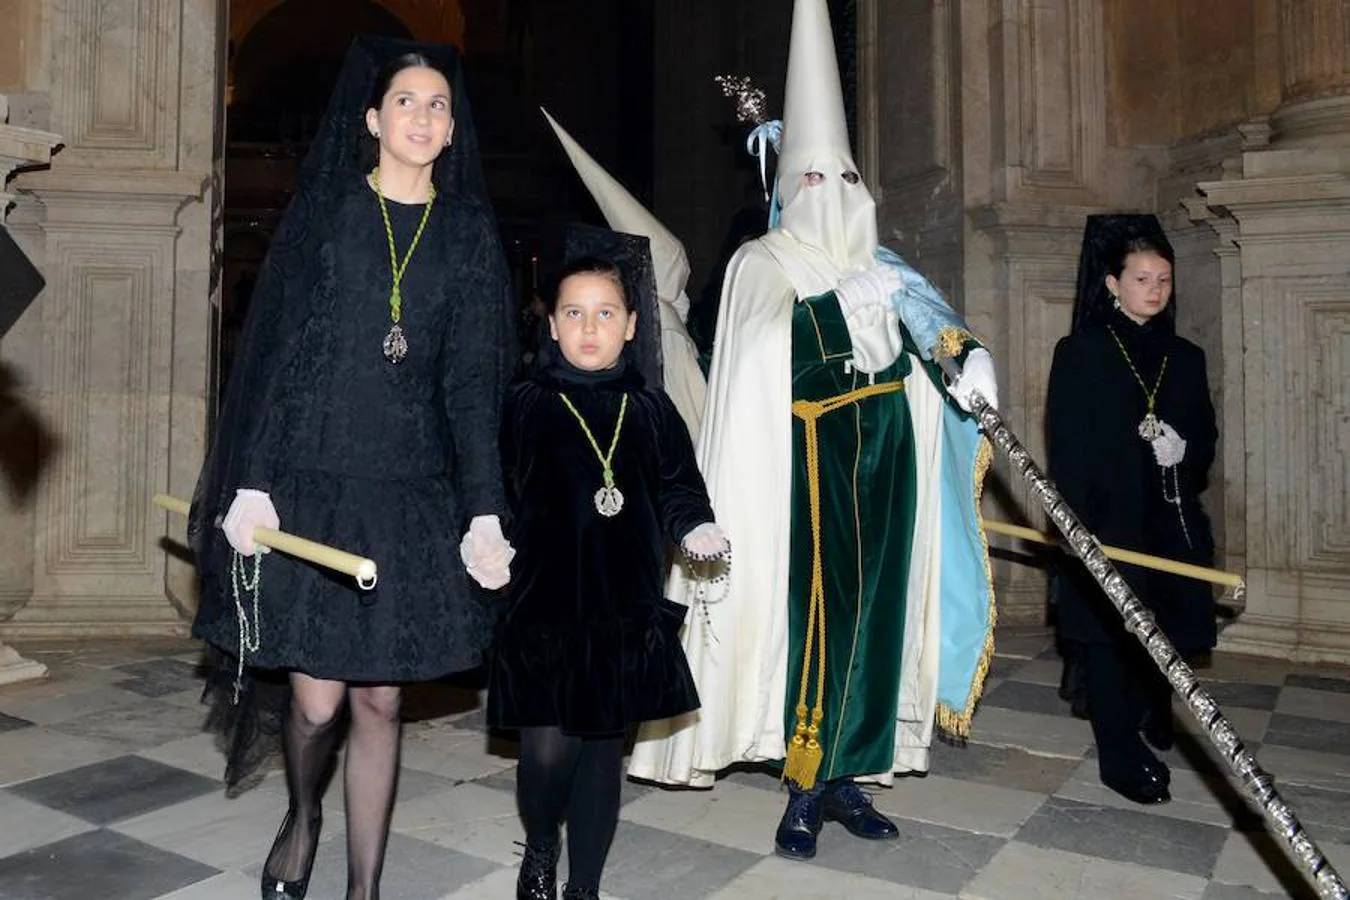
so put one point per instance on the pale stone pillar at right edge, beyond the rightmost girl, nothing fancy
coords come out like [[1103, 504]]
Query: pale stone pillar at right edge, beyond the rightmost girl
[[1290, 207]]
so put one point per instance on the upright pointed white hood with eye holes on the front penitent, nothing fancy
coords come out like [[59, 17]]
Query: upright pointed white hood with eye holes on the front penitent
[[836, 217]]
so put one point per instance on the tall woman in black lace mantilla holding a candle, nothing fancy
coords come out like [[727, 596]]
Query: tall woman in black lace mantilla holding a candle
[[362, 412]]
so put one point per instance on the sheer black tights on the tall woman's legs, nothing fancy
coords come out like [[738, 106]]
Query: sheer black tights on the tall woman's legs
[[310, 740]]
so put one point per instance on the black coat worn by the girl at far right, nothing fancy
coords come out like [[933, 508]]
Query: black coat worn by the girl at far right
[[1110, 478]]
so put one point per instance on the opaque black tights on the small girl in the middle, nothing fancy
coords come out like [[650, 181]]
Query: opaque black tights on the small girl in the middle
[[565, 777]]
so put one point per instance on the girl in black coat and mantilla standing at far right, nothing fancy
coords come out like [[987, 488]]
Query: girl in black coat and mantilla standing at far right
[[1132, 437]]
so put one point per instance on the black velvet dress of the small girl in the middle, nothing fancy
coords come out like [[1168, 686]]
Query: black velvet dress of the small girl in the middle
[[589, 643]]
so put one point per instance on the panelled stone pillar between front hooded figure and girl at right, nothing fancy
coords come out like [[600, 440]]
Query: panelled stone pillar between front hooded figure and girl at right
[[1027, 113]]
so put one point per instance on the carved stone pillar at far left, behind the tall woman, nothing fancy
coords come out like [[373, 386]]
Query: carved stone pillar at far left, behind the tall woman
[[121, 365]]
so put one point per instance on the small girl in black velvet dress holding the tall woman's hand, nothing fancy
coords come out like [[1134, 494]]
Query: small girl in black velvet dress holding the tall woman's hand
[[600, 474]]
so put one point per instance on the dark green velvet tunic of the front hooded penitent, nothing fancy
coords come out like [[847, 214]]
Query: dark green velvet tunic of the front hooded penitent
[[867, 474]]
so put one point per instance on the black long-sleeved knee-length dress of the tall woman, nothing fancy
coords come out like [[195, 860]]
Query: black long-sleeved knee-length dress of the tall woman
[[385, 461]]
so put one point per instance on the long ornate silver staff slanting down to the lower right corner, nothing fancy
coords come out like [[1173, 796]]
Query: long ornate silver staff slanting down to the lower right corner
[[1140, 623]]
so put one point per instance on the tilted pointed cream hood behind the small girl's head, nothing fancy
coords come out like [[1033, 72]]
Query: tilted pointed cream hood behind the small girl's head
[[624, 214]]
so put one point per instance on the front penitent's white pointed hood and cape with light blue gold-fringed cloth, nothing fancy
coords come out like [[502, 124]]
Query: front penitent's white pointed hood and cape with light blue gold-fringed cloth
[[738, 634]]
